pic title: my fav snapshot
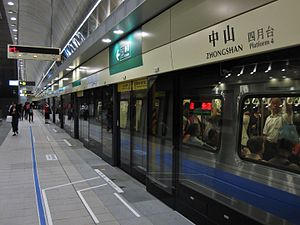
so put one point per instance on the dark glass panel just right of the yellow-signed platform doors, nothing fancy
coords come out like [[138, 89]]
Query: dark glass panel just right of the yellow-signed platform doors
[[160, 179]]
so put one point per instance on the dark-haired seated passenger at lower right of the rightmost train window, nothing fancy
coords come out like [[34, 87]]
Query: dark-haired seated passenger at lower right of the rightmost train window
[[285, 148]]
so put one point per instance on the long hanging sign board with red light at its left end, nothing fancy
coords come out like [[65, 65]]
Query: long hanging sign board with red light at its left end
[[33, 53]]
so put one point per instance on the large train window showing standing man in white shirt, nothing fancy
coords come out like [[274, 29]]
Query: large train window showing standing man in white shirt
[[270, 131]]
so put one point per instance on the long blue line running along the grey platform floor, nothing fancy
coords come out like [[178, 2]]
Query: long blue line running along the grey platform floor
[[40, 206]]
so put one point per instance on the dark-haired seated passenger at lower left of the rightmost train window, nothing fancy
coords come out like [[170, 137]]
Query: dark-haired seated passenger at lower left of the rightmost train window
[[256, 146]]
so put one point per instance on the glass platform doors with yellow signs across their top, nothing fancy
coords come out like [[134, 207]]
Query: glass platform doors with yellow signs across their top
[[133, 129]]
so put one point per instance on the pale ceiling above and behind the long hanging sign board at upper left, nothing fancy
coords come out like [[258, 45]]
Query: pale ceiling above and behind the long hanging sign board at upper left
[[48, 23]]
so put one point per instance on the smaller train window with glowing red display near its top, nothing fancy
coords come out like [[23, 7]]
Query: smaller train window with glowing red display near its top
[[201, 123]]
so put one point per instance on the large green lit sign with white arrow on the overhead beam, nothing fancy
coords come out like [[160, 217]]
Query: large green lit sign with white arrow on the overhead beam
[[126, 54]]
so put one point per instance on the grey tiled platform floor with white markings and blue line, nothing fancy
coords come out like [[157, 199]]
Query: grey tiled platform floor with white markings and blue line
[[47, 177]]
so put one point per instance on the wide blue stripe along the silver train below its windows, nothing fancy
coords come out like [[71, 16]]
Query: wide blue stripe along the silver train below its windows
[[275, 201]]
